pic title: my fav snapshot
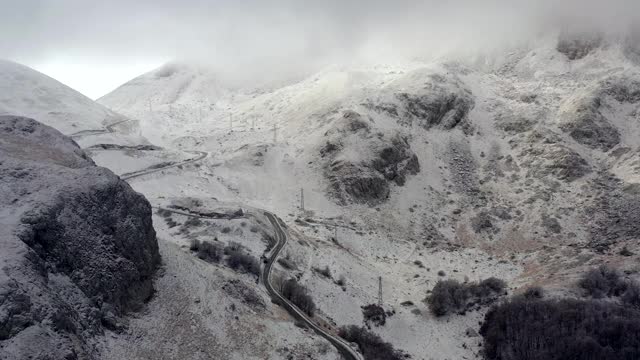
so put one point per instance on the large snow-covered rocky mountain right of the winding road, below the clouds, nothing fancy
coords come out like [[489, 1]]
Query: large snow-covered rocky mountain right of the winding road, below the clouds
[[523, 166]]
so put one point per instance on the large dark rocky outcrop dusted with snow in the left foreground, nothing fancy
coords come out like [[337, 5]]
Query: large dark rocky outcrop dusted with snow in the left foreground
[[77, 249]]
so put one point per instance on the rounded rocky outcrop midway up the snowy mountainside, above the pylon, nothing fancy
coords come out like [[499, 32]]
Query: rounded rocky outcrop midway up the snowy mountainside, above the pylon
[[360, 165]]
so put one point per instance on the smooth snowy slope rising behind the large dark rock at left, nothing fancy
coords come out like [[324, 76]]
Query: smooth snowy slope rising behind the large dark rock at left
[[26, 92]]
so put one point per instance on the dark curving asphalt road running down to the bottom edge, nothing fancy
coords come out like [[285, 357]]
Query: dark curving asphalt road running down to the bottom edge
[[343, 347]]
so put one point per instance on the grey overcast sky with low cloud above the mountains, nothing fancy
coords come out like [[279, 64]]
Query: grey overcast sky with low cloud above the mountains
[[95, 46]]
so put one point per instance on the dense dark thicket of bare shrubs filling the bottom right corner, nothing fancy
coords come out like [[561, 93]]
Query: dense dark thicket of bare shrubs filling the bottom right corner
[[535, 329]]
